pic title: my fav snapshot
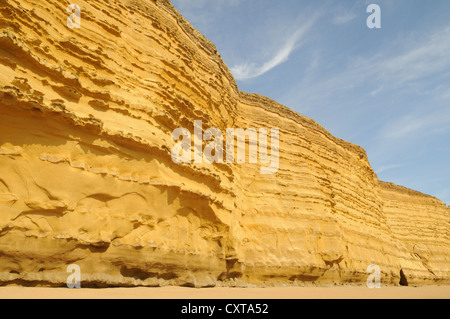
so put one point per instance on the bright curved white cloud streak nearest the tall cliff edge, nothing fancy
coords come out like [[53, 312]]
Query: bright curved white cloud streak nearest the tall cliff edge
[[251, 70]]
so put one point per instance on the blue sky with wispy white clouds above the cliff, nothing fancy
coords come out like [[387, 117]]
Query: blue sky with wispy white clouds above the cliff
[[387, 90]]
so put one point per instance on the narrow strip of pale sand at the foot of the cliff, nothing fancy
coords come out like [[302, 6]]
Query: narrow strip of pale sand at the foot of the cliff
[[427, 292]]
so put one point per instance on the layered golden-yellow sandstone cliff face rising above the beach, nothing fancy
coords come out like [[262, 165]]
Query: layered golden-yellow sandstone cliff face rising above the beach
[[87, 178]]
